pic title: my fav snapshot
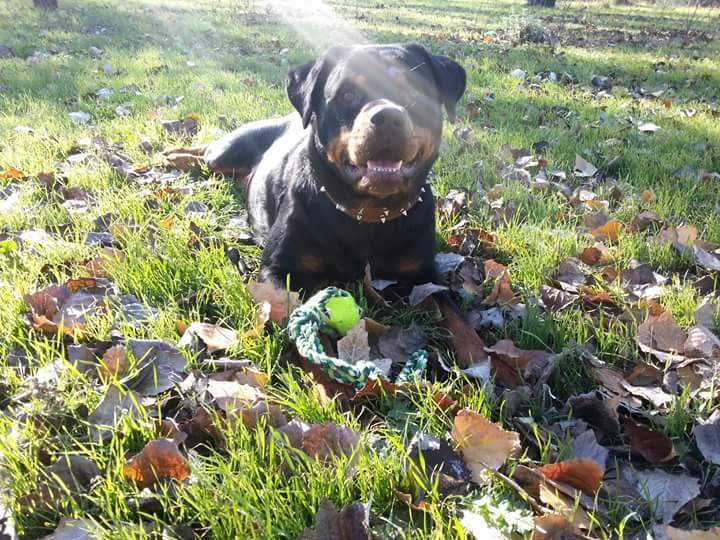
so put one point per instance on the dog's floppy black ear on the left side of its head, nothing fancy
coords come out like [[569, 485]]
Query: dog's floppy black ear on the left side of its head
[[306, 83]]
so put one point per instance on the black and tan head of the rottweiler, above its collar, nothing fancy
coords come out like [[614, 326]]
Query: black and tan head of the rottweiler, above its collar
[[376, 113]]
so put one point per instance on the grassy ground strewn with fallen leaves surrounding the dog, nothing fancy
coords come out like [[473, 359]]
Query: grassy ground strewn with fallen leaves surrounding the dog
[[630, 90]]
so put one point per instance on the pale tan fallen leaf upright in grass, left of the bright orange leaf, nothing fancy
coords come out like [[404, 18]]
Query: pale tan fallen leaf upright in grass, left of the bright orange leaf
[[483, 444]]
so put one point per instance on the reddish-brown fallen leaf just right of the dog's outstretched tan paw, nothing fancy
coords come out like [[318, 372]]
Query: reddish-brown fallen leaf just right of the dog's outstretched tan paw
[[513, 366]]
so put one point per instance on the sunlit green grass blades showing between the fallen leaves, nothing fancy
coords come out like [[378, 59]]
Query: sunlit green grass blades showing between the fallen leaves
[[225, 62]]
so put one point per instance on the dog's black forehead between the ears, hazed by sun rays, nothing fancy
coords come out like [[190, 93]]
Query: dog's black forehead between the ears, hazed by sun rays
[[382, 71]]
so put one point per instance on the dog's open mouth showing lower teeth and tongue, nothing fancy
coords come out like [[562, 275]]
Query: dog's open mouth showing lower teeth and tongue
[[383, 175]]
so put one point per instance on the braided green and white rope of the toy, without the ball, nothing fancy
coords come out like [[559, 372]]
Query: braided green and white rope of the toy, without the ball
[[304, 326]]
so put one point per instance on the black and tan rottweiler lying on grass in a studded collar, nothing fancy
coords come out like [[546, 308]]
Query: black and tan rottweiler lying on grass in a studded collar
[[344, 183]]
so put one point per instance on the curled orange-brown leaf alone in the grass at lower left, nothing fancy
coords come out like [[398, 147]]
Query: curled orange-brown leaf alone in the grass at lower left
[[159, 459]]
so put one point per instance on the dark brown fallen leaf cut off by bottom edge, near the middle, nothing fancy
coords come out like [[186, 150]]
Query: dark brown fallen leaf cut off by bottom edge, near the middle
[[351, 523]]
